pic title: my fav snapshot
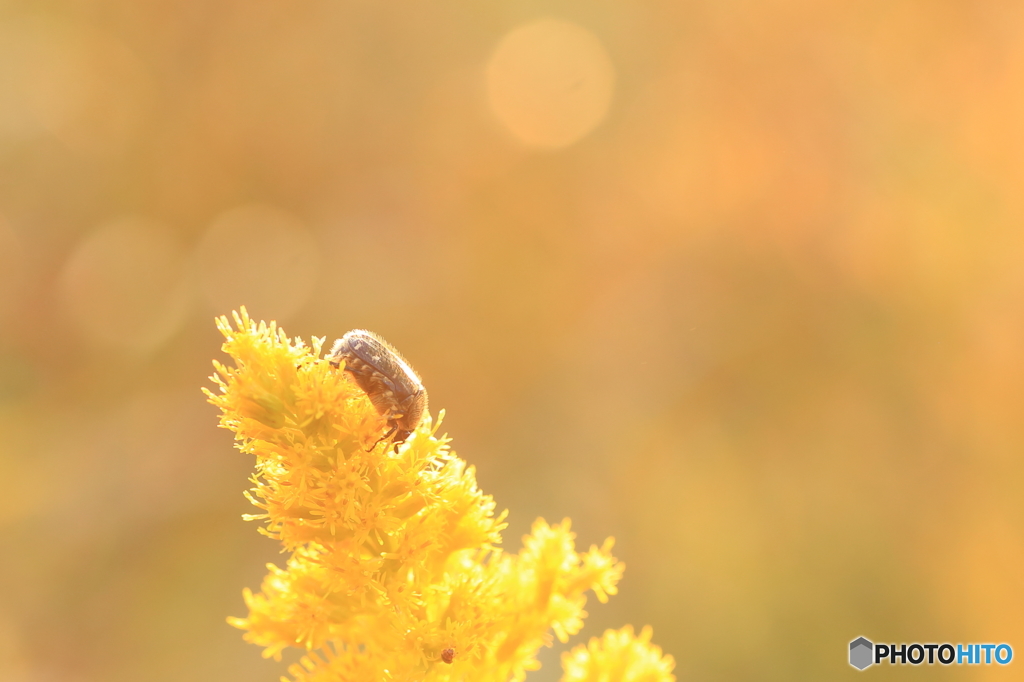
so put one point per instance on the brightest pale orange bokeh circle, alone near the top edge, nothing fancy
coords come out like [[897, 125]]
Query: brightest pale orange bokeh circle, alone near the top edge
[[550, 83]]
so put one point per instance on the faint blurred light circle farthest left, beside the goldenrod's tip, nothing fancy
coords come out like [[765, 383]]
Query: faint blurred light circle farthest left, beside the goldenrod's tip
[[125, 285]]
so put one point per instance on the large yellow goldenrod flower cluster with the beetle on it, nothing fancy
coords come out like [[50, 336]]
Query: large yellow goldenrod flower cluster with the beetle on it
[[395, 572]]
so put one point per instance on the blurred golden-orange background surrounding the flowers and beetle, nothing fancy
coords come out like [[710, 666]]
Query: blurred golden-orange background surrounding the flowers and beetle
[[739, 283]]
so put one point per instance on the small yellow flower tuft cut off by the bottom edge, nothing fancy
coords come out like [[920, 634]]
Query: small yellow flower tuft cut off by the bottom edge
[[619, 657]]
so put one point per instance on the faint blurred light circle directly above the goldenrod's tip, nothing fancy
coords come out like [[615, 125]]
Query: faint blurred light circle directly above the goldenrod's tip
[[262, 258]]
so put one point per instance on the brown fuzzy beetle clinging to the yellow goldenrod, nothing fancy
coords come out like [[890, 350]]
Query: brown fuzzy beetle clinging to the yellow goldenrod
[[390, 382]]
